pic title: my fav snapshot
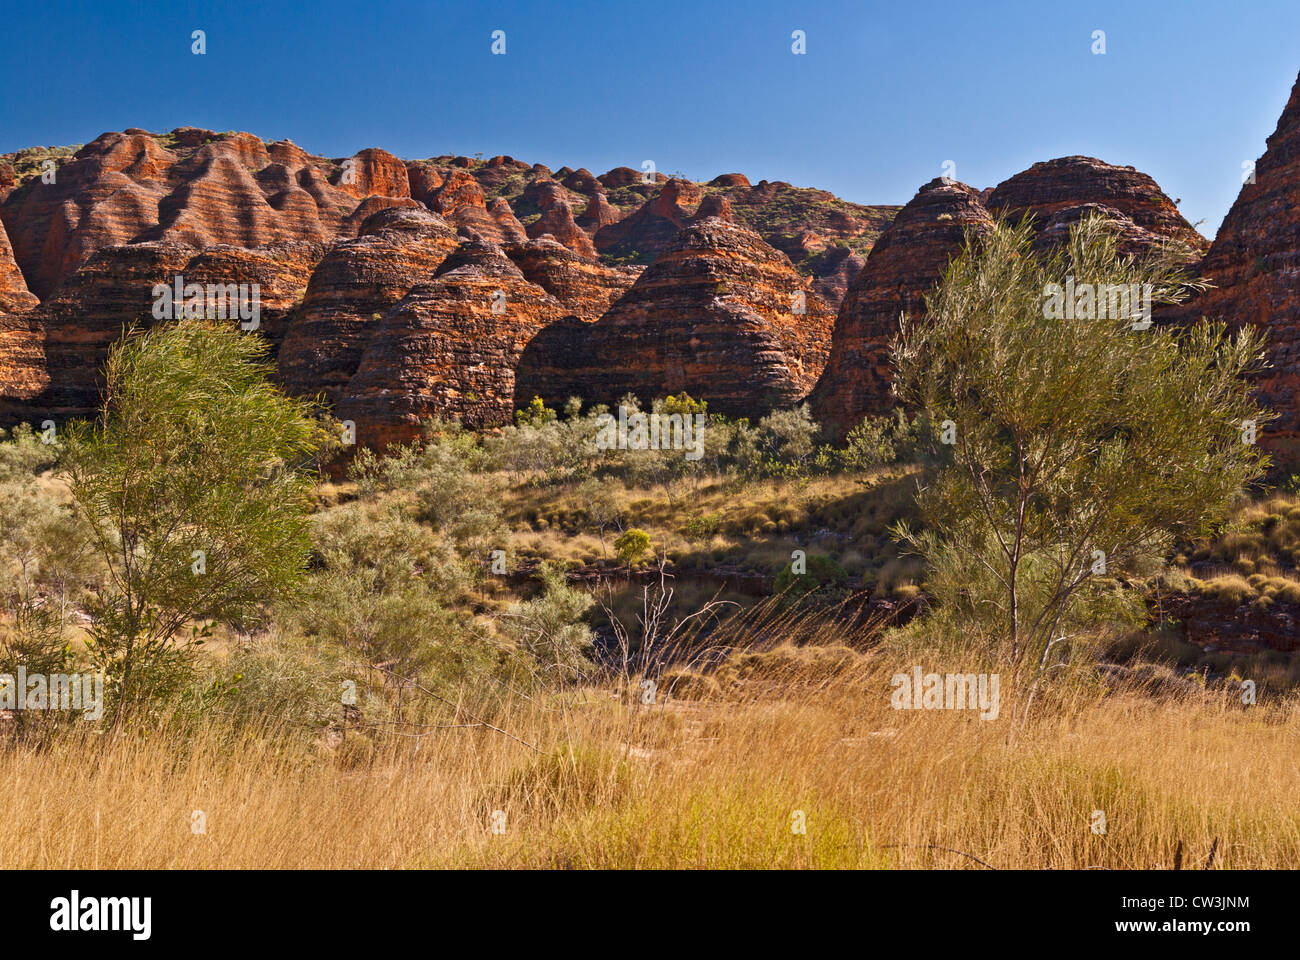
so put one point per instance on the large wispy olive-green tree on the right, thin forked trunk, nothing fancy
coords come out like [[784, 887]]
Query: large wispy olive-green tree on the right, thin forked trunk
[[1076, 448]]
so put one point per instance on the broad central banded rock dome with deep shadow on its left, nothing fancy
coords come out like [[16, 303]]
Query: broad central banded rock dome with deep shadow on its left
[[720, 315]]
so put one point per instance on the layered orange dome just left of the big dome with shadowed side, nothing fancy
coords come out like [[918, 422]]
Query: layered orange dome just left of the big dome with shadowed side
[[448, 349]]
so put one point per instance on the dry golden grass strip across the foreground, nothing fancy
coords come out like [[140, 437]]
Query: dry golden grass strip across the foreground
[[714, 784]]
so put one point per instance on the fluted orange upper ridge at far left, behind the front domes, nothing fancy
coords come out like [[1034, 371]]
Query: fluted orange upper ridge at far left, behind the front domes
[[192, 187]]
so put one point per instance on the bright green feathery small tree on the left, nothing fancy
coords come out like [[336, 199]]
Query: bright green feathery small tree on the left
[[196, 486]]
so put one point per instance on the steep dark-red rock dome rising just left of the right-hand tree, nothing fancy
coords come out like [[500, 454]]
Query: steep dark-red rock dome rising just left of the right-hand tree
[[904, 266]]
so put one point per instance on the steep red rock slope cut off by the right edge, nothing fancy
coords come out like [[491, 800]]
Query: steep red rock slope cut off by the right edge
[[1255, 269]]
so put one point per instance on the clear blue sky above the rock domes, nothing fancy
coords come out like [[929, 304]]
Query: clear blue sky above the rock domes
[[886, 94]]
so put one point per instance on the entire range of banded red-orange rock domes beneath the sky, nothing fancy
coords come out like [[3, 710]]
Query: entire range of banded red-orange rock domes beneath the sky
[[466, 287]]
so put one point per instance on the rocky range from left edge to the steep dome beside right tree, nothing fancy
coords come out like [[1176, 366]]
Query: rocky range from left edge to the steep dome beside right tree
[[398, 289]]
